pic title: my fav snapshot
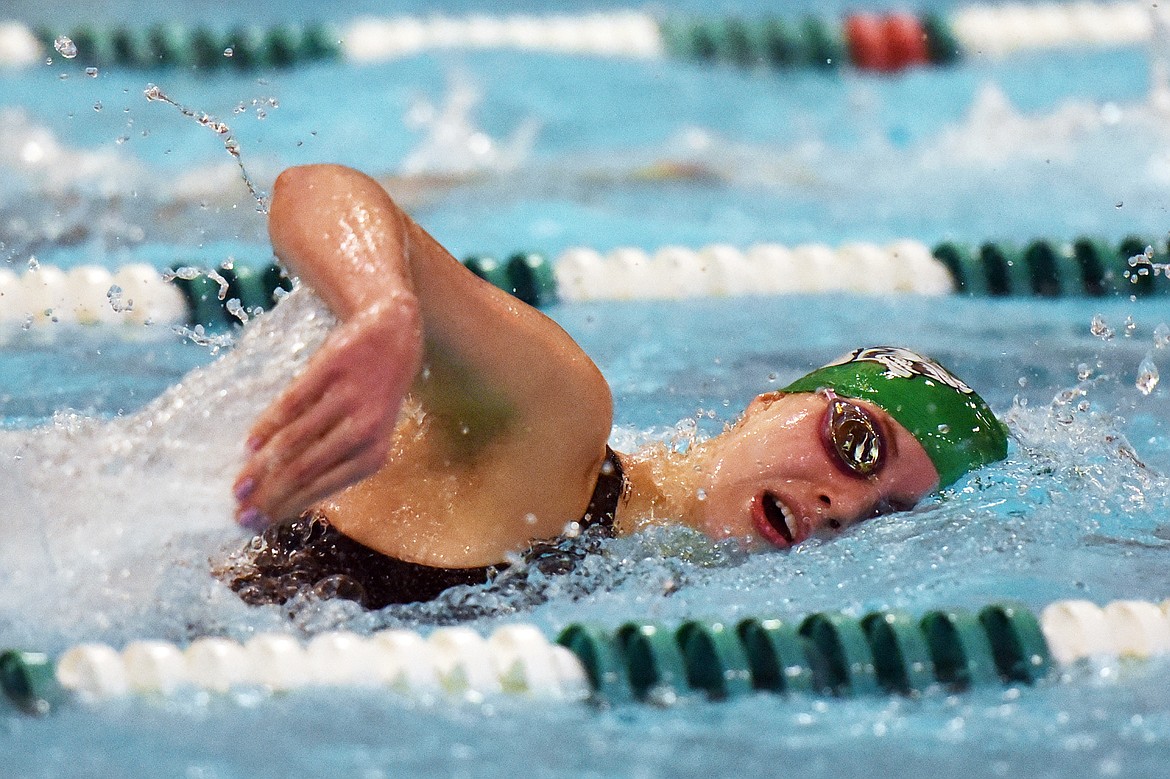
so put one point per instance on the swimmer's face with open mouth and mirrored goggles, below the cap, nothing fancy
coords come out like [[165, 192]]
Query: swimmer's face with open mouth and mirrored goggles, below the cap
[[809, 464]]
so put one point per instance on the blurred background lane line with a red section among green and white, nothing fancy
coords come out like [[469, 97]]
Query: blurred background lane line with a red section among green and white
[[887, 43]]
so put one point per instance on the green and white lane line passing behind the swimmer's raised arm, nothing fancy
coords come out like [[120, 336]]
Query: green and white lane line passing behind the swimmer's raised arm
[[218, 299]]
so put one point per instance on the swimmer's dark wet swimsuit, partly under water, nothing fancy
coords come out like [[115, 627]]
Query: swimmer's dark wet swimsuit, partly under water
[[309, 553]]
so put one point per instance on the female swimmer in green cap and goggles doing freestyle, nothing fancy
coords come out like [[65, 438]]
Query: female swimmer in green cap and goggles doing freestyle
[[445, 426]]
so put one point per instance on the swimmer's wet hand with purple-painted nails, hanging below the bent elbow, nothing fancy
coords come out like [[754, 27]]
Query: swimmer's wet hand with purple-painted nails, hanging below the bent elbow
[[334, 425]]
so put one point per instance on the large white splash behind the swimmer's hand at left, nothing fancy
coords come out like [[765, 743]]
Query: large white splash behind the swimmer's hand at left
[[149, 495]]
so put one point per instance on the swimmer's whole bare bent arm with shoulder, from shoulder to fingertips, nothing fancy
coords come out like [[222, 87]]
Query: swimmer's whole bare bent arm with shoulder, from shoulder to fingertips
[[518, 415]]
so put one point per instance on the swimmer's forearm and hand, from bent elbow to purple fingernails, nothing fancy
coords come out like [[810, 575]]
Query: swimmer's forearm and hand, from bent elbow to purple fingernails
[[343, 236]]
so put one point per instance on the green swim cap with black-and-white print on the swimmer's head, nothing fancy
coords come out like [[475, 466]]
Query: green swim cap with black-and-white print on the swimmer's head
[[952, 423]]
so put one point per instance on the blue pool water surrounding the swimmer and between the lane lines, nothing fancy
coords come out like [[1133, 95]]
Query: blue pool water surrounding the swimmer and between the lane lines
[[118, 500]]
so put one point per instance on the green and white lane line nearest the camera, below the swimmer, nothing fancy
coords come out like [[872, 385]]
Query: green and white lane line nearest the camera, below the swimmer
[[827, 654]]
